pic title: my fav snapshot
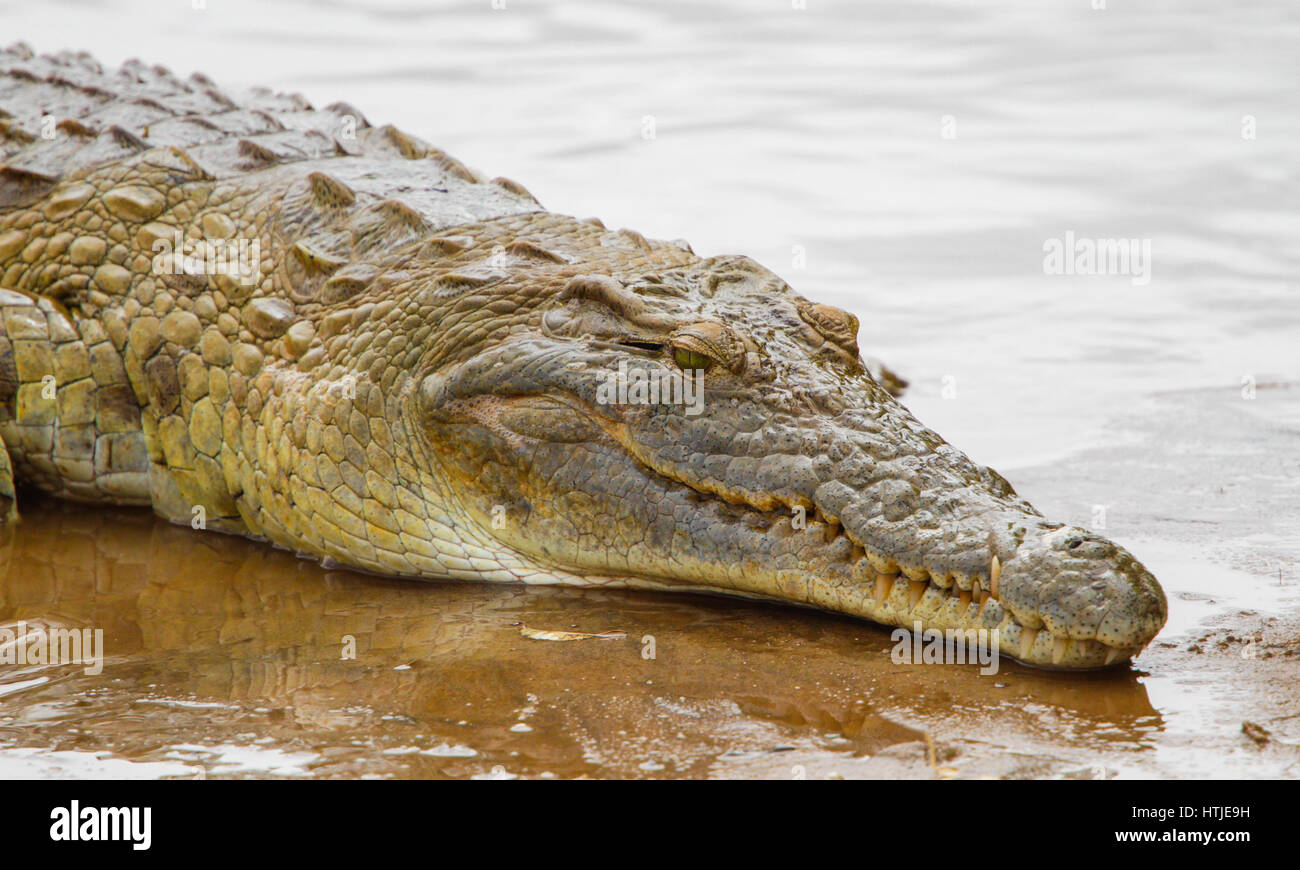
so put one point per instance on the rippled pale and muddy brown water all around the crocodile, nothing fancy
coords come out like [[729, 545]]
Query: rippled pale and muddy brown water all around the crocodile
[[907, 162]]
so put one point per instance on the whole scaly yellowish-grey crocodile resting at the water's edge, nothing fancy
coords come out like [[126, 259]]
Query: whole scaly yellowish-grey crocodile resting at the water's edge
[[287, 323]]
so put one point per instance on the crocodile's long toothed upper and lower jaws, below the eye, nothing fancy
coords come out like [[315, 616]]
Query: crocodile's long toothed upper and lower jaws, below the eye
[[885, 522]]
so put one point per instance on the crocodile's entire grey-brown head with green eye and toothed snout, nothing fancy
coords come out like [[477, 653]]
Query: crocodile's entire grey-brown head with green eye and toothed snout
[[708, 428]]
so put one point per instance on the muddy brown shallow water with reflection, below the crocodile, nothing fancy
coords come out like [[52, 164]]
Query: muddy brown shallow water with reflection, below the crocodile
[[214, 639]]
